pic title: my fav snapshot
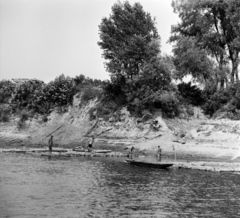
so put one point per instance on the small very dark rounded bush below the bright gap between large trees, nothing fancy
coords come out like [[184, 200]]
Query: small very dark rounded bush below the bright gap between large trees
[[191, 93]]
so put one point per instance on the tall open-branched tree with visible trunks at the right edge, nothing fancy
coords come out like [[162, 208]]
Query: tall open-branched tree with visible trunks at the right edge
[[214, 26]]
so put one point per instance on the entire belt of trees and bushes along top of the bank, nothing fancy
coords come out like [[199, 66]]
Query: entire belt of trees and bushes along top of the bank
[[206, 46]]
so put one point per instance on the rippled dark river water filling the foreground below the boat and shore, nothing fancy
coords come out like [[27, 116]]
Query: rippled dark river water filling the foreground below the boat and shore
[[84, 187]]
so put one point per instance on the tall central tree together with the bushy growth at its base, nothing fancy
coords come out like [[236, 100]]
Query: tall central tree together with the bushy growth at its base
[[140, 77]]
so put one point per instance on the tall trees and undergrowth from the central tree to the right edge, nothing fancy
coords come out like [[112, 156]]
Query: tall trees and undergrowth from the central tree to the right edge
[[206, 46]]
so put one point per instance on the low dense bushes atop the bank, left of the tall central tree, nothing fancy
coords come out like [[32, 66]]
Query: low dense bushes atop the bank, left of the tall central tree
[[36, 97]]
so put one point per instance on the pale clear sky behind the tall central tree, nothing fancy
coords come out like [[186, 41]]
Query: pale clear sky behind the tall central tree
[[42, 39]]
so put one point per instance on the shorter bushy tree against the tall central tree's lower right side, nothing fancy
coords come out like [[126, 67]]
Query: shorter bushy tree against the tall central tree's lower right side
[[144, 91]]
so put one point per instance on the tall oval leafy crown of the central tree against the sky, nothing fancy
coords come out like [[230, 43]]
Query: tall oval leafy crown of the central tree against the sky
[[129, 39]]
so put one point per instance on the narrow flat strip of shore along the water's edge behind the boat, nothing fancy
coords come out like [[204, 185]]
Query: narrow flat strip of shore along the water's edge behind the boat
[[189, 162]]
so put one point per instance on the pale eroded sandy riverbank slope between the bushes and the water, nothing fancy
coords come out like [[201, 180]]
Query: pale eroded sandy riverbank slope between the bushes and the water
[[193, 139]]
